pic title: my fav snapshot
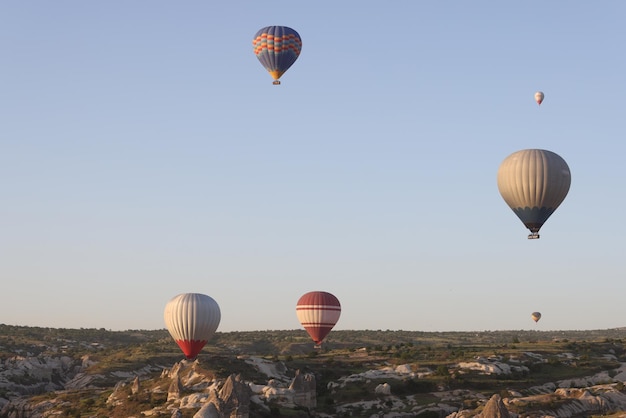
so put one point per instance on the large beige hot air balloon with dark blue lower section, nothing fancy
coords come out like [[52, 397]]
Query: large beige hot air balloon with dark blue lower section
[[533, 182]]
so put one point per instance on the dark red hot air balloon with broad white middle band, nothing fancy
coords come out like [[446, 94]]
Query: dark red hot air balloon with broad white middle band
[[318, 312]]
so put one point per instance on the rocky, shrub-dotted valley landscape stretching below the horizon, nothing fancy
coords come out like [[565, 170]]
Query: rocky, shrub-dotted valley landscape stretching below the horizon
[[97, 373]]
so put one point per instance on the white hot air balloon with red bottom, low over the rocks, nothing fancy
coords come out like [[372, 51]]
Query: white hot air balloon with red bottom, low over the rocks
[[192, 319]]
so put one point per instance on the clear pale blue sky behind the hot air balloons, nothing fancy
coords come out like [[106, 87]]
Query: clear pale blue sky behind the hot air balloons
[[144, 152]]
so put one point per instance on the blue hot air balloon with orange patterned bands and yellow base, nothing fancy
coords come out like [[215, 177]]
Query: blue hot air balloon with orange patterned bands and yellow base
[[277, 48]]
